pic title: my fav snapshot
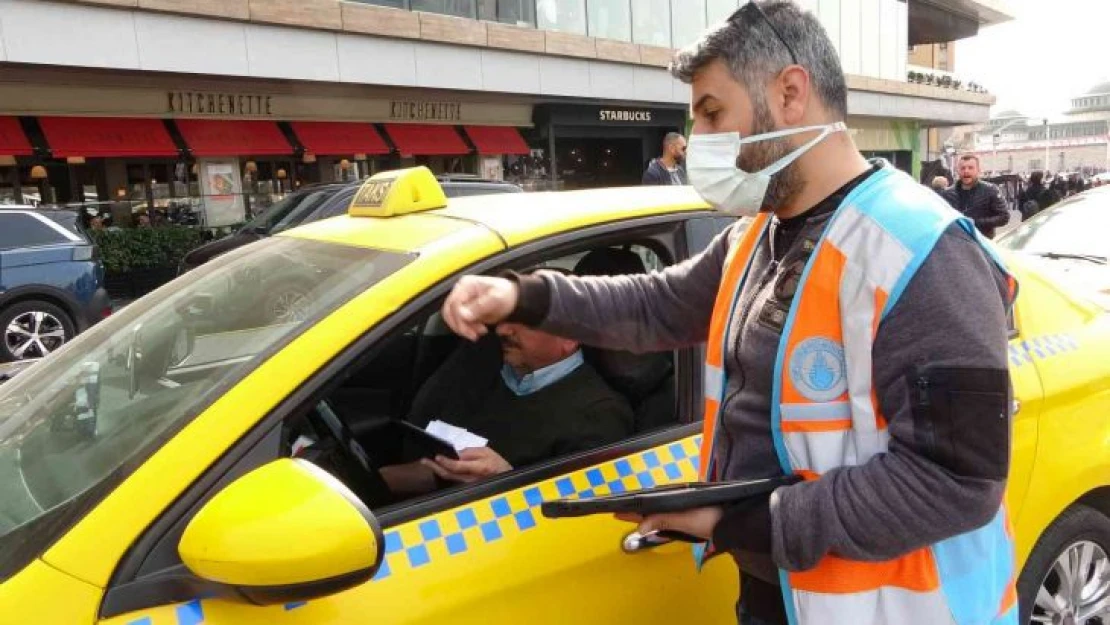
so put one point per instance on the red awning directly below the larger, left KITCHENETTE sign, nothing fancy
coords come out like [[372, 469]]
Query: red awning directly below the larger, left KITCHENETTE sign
[[208, 138]]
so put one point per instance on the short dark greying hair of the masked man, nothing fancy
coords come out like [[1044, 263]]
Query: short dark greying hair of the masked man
[[755, 54]]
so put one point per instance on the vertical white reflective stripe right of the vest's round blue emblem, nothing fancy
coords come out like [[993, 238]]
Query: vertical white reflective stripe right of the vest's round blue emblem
[[857, 324]]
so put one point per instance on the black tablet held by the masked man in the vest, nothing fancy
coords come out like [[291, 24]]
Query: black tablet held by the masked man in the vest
[[667, 499]]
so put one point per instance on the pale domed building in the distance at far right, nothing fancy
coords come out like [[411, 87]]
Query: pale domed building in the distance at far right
[[1077, 142]]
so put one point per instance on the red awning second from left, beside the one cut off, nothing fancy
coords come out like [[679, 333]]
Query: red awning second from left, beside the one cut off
[[107, 137]]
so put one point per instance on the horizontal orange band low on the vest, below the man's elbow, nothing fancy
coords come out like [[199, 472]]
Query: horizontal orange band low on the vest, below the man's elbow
[[916, 571]]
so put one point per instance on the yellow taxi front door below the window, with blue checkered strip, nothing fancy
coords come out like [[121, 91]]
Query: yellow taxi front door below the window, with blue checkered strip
[[498, 560]]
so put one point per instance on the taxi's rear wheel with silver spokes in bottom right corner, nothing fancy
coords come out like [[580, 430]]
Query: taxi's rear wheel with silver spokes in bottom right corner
[[1067, 579]]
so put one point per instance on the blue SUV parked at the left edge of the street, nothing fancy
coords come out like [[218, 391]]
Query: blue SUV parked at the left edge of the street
[[52, 283]]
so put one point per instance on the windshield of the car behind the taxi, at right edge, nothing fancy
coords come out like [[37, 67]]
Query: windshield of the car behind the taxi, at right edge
[[1071, 244]]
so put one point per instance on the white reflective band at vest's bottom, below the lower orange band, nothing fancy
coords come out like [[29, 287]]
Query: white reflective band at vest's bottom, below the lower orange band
[[884, 607]]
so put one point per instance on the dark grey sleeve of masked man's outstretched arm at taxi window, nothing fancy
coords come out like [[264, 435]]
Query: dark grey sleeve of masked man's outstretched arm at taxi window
[[664, 310]]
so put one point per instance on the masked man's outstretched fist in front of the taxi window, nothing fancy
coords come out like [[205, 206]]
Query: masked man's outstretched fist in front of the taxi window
[[479, 301]]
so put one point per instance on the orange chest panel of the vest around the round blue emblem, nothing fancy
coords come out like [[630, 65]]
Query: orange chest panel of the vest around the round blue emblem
[[818, 305]]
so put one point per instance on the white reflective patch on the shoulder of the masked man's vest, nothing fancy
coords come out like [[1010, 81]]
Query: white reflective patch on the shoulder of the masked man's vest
[[867, 245]]
